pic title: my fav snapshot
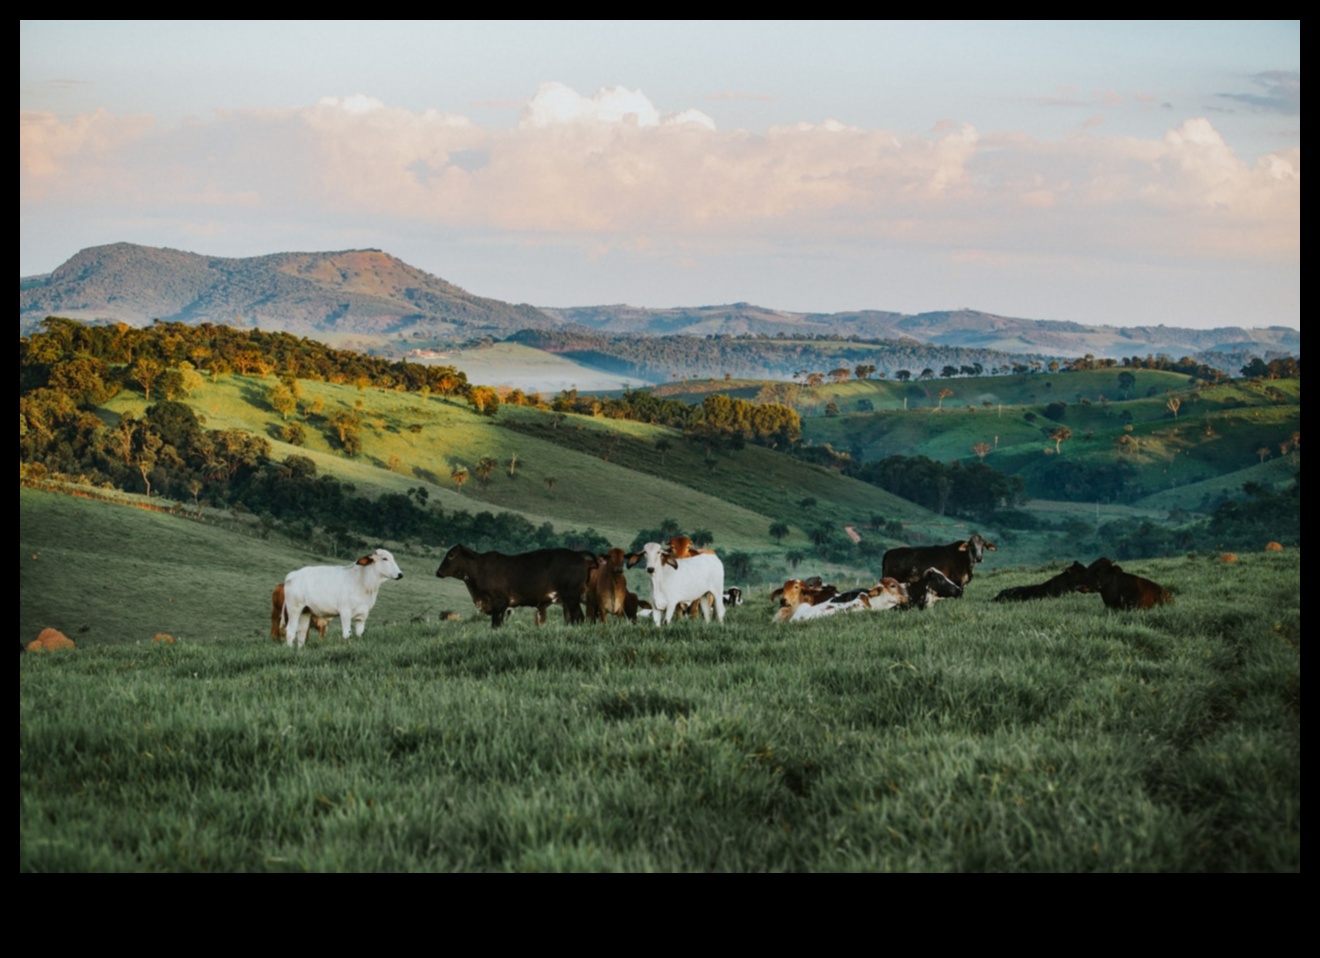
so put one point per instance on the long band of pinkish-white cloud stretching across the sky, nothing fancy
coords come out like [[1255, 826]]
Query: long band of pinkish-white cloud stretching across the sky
[[610, 171]]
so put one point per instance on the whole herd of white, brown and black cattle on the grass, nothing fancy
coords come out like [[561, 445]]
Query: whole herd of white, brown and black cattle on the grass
[[684, 583]]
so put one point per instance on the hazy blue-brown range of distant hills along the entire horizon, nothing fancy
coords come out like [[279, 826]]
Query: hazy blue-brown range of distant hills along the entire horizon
[[370, 294]]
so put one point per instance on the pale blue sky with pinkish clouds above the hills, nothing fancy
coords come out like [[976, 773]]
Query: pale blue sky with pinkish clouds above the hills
[[1102, 172]]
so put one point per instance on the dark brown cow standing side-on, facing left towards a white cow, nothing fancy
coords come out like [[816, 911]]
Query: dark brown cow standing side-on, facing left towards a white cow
[[542, 579]]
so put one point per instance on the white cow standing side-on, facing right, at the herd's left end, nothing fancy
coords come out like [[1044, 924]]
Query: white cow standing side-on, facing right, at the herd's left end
[[327, 592]]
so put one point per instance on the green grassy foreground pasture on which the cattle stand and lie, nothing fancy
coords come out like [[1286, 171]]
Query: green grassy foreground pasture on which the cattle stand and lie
[[1043, 737]]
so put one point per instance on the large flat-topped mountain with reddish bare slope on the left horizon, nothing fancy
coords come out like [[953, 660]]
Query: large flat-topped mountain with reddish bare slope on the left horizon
[[353, 291]]
